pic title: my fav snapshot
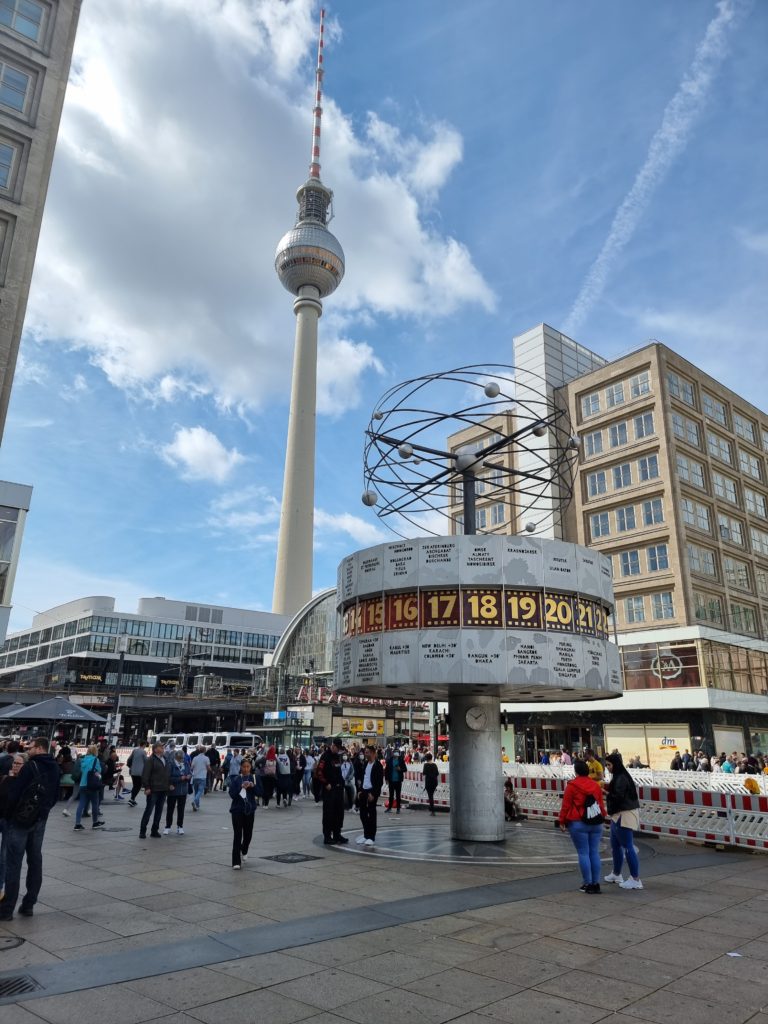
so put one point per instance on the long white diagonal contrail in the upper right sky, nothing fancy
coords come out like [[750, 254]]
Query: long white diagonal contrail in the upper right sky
[[667, 145]]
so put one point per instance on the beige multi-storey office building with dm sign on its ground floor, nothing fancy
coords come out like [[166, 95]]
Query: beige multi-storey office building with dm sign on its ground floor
[[672, 483]]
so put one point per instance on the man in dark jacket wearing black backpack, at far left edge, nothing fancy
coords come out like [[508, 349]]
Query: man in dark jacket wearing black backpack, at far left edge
[[23, 839]]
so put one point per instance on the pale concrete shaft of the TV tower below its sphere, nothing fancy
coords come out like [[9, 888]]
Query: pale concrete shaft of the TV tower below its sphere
[[293, 575]]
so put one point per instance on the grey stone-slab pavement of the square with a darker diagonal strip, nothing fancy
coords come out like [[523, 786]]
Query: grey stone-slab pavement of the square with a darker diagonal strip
[[134, 931]]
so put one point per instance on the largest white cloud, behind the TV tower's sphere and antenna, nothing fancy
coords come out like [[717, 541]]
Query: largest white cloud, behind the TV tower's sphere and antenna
[[173, 187]]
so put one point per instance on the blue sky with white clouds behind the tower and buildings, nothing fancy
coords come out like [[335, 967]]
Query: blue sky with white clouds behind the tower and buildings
[[598, 166]]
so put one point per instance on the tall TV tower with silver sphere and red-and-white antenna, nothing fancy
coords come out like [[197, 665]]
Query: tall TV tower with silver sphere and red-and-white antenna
[[311, 265]]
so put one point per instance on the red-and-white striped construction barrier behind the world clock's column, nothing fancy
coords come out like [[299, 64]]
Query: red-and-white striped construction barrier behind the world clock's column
[[730, 819]]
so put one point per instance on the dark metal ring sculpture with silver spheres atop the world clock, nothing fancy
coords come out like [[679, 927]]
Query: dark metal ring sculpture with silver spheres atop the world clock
[[416, 486]]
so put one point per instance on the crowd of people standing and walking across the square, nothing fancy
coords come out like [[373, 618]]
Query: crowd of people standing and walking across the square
[[35, 777]]
